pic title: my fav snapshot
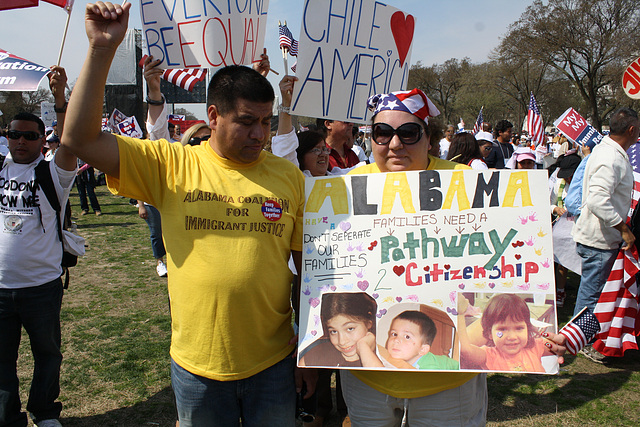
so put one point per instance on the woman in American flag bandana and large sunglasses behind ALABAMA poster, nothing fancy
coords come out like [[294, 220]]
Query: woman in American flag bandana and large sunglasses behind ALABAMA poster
[[401, 135]]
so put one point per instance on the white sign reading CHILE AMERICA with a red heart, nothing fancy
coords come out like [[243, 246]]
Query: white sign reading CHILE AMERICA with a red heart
[[349, 51]]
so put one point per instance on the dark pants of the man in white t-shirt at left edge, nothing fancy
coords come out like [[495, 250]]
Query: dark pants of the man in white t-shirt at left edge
[[37, 309]]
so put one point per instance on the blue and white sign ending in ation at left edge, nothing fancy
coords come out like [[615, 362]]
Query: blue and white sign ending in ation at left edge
[[19, 74]]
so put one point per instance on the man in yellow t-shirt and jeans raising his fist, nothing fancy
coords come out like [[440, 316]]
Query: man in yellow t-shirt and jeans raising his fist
[[231, 216]]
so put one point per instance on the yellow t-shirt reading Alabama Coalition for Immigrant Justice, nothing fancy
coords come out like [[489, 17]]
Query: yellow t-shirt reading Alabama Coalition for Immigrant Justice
[[228, 229]]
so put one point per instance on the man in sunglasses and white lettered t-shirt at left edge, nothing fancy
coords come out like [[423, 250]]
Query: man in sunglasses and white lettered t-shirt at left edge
[[30, 258]]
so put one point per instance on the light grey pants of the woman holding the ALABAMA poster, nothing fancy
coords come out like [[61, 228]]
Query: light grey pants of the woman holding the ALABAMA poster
[[465, 405]]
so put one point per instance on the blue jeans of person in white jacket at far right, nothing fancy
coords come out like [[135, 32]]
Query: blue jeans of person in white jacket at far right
[[596, 266]]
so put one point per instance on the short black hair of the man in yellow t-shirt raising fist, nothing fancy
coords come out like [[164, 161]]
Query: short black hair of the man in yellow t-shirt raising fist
[[237, 81]]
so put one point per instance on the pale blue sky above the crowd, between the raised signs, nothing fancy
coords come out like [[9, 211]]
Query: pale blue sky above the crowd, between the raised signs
[[444, 30]]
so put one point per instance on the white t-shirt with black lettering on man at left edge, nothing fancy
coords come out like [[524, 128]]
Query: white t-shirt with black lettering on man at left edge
[[30, 251]]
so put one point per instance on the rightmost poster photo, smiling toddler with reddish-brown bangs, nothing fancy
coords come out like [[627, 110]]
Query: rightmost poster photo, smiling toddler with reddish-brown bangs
[[507, 335]]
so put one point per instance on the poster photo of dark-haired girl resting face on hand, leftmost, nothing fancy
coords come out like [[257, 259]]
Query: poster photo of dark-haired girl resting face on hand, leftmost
[[349, 328]]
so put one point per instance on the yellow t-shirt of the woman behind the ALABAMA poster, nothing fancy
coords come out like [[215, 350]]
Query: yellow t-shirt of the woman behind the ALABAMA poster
[[408, 385]]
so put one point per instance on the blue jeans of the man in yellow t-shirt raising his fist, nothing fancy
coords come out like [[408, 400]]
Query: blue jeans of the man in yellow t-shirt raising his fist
[[267, 398]]
